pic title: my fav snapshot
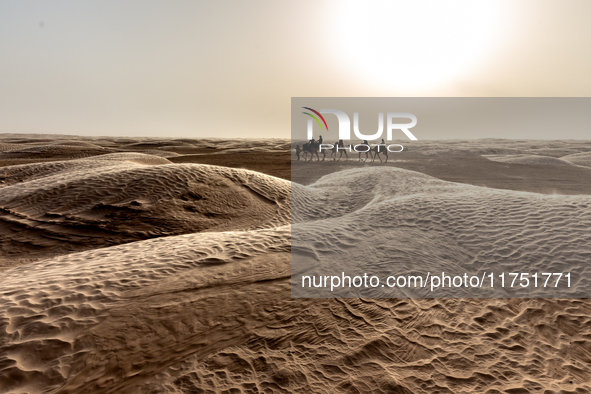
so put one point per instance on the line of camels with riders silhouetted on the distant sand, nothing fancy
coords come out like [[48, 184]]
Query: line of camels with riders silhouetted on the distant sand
[[316, 148]]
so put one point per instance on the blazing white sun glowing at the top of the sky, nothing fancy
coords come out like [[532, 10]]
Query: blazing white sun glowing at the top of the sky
[[415, 44]]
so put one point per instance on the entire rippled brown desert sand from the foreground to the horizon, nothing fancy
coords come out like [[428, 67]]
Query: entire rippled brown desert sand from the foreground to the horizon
[[163, 266]]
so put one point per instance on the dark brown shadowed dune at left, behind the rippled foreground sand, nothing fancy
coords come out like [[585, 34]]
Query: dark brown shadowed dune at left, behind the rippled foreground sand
[[111, 199]]
